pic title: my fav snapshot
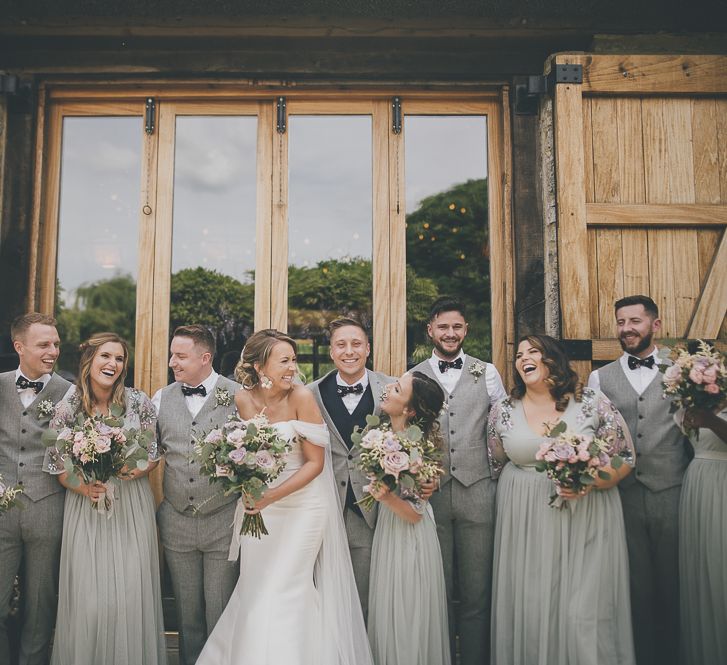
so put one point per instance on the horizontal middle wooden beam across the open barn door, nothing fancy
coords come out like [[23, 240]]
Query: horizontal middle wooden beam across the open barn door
[[635, 214]]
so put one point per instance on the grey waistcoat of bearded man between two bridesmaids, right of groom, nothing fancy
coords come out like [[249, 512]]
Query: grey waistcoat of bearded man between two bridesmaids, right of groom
[[464, 425]]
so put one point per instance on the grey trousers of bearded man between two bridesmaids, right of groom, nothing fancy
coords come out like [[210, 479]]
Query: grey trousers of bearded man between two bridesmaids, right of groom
[[465, 518]]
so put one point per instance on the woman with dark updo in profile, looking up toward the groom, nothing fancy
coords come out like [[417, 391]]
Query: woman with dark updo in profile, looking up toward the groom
[[407, 596]]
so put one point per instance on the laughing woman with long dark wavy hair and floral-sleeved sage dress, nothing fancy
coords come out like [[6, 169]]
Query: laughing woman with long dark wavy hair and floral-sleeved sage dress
[[560, 576]]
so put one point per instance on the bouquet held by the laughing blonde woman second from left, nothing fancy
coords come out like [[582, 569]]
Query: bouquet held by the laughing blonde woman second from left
[[98, 449]]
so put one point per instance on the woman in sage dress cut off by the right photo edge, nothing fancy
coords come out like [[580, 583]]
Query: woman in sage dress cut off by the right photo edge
[[703, 540]]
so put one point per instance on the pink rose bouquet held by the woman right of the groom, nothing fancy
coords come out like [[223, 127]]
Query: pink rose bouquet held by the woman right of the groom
[[396, 459]]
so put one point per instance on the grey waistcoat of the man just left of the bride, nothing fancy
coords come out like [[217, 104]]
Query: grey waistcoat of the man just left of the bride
[[184, 486]]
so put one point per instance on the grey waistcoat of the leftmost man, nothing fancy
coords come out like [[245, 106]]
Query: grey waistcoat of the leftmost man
[[21, 451]]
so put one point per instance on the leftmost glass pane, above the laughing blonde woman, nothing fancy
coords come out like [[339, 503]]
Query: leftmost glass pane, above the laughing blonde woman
[[98, 232]]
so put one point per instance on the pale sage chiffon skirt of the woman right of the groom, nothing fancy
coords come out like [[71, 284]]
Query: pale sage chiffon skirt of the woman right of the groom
[[407, 597]]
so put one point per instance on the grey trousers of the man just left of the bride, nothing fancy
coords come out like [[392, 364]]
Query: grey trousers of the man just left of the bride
[[195, 549]]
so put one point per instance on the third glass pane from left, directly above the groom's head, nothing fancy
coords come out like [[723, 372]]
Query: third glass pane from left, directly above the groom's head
[[330, 230]]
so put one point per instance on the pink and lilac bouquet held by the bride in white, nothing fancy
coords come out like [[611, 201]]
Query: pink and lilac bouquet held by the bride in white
[[243, 456]]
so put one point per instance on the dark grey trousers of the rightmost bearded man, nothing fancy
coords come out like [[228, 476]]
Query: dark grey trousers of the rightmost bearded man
[[652, 520]]
